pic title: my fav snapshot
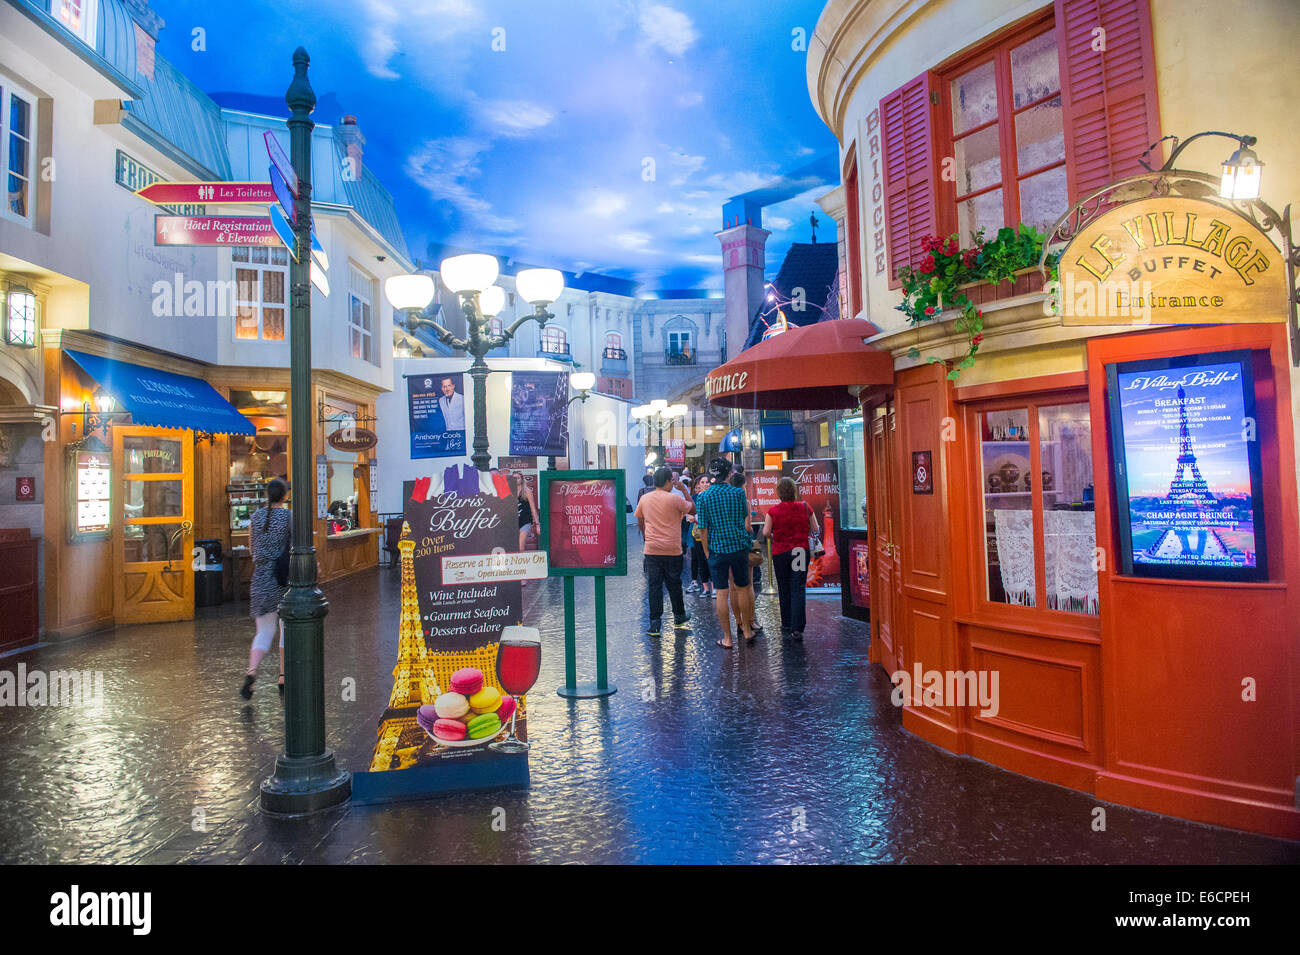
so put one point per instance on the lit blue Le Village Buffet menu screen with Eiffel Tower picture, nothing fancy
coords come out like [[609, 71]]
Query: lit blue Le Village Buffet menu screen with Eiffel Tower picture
[[1188, 467]]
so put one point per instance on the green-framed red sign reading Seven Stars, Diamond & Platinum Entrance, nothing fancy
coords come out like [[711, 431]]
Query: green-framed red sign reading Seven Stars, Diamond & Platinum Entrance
[[584, 524]]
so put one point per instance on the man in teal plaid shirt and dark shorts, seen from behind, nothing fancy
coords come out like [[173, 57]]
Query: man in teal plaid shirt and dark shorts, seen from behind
[[723, 514]]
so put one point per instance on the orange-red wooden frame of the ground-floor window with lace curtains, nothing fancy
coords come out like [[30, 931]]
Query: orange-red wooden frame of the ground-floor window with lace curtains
[[977, 402]]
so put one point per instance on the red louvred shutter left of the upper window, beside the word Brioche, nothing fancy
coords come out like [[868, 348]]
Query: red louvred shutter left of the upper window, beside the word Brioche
[[911, 167]]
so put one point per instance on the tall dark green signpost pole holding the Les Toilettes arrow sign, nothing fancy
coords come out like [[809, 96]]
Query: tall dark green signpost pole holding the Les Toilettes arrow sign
[[306, 779]]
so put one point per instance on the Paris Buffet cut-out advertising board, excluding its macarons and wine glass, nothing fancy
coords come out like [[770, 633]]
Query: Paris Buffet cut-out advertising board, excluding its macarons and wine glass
[[448, 627]]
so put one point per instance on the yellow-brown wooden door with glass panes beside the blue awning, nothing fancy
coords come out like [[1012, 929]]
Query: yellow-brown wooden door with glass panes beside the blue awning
[[153, 526]]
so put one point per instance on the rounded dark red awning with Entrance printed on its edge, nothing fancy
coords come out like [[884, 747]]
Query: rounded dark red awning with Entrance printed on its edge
[[811, 368]]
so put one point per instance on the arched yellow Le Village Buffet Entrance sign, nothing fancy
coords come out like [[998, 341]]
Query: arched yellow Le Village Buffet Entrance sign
[[1171, 262]]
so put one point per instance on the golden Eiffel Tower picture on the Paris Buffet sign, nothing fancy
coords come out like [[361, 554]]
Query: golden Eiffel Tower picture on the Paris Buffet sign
[[414, 684]]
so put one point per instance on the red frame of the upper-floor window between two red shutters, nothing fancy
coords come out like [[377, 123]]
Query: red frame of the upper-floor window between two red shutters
[[998, 51]]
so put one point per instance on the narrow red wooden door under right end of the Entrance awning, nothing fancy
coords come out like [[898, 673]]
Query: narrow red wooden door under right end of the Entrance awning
[[882, 523]]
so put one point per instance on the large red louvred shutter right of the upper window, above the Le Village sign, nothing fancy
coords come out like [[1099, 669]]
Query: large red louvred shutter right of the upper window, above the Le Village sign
[[1110, 95]]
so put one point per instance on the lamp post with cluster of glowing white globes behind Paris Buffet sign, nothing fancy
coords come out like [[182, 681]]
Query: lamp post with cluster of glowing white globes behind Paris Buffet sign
[[471, 279]]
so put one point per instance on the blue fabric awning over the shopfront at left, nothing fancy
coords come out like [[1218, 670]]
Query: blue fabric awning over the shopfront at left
[[164, 400]]
